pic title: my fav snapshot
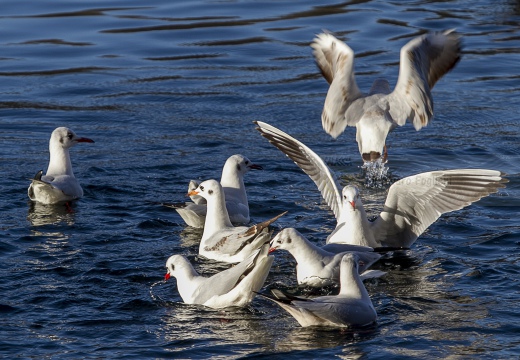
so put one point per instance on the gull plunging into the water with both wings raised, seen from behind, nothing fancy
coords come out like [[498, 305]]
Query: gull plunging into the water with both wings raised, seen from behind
[[424, 60]]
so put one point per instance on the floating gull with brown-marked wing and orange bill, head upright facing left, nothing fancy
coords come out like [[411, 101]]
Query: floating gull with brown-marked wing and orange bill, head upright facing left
[[221, 241]]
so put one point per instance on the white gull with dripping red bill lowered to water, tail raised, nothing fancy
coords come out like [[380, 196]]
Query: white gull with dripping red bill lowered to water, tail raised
[[235, 286]]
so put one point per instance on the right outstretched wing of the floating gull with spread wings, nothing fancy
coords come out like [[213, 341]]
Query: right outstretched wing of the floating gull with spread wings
[[415, 202]]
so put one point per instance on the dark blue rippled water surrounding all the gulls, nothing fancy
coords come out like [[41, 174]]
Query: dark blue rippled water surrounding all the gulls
[[169, 90]]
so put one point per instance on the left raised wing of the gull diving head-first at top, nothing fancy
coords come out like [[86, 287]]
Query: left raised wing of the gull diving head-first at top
[[335, 60]]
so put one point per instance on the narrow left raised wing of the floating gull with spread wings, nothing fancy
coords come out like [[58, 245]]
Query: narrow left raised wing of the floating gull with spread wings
[[308, 161]]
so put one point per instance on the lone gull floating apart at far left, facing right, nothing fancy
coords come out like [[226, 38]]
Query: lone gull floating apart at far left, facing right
[[59, 183]]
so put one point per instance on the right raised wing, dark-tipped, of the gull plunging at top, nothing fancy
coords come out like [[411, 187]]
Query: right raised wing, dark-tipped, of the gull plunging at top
[[424, 60]]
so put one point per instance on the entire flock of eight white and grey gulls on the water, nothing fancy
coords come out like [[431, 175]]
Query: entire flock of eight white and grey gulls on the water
[[221, 208]]
